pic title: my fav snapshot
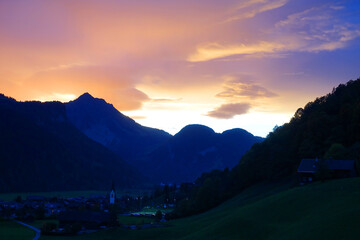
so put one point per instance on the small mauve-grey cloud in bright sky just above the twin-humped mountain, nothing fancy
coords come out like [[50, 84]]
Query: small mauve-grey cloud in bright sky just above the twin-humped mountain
[[229, 110]]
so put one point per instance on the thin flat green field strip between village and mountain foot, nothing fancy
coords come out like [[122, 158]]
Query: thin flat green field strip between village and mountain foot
[[71, 194]]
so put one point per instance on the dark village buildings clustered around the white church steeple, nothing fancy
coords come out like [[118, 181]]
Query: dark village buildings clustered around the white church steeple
[[90, 212]]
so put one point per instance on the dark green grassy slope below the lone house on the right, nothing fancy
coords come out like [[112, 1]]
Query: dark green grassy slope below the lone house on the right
[[329, 210]]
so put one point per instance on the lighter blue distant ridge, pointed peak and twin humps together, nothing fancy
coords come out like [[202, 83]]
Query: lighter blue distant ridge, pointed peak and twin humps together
[[157, 154]]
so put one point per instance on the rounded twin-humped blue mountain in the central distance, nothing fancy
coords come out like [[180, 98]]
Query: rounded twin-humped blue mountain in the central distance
[[196, 149]]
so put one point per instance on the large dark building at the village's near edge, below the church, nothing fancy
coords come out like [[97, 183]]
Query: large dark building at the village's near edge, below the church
[[87, 219]]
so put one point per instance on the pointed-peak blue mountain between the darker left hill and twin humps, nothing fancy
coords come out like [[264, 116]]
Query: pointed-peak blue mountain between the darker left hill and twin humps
[[104, 124]]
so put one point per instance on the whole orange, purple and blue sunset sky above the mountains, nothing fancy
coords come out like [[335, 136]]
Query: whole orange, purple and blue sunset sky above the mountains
[[226, 64]]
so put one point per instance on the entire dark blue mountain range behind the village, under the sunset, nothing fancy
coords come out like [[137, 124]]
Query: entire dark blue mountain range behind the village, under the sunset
[[87, 143]]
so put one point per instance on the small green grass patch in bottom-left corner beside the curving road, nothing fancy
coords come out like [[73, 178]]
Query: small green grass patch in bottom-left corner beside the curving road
[[13, 231]]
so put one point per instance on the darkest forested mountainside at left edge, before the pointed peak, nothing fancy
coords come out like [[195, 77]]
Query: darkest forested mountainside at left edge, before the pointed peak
[[40, 150]]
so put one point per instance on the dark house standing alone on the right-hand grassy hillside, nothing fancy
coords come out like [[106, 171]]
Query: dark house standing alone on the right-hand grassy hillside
[[308, 169]]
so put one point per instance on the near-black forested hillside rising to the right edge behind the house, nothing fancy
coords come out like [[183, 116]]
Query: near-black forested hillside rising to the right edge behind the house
[[327, 127]]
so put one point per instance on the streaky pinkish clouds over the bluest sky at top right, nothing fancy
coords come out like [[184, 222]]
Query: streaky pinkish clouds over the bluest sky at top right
[[318, 29]]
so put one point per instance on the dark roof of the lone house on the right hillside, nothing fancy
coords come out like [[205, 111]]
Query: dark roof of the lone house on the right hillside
[[312, 165]]
